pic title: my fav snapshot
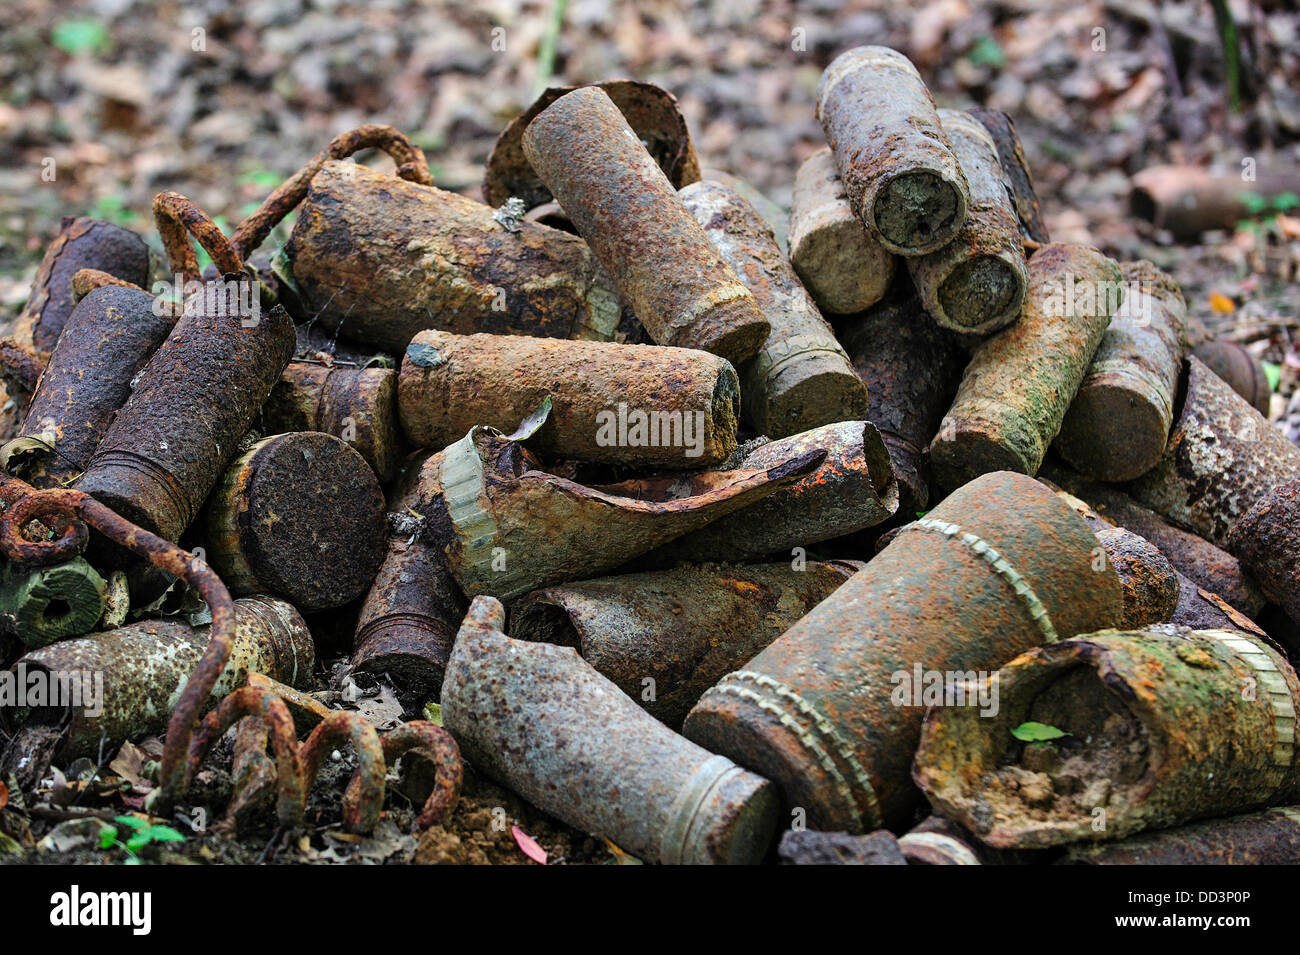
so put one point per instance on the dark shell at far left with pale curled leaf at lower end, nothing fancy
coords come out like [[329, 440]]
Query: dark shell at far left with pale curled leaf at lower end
[[109, 338]]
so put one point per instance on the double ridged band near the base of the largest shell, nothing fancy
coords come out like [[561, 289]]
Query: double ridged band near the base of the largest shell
[[811, 740]]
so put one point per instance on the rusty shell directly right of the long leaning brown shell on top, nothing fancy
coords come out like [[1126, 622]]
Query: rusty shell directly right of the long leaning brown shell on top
[[801, 379]]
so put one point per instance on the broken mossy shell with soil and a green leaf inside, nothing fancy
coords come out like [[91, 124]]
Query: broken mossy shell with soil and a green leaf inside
[[1165, 727]]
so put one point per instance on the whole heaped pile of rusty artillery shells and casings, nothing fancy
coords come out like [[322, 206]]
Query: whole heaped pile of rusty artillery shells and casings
[[703, 520]]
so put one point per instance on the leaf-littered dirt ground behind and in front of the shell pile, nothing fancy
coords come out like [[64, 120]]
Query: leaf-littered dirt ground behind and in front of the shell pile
[[223, 99]]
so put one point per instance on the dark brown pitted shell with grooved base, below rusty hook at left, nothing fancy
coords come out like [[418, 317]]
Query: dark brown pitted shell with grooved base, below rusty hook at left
[[192, 403]]
